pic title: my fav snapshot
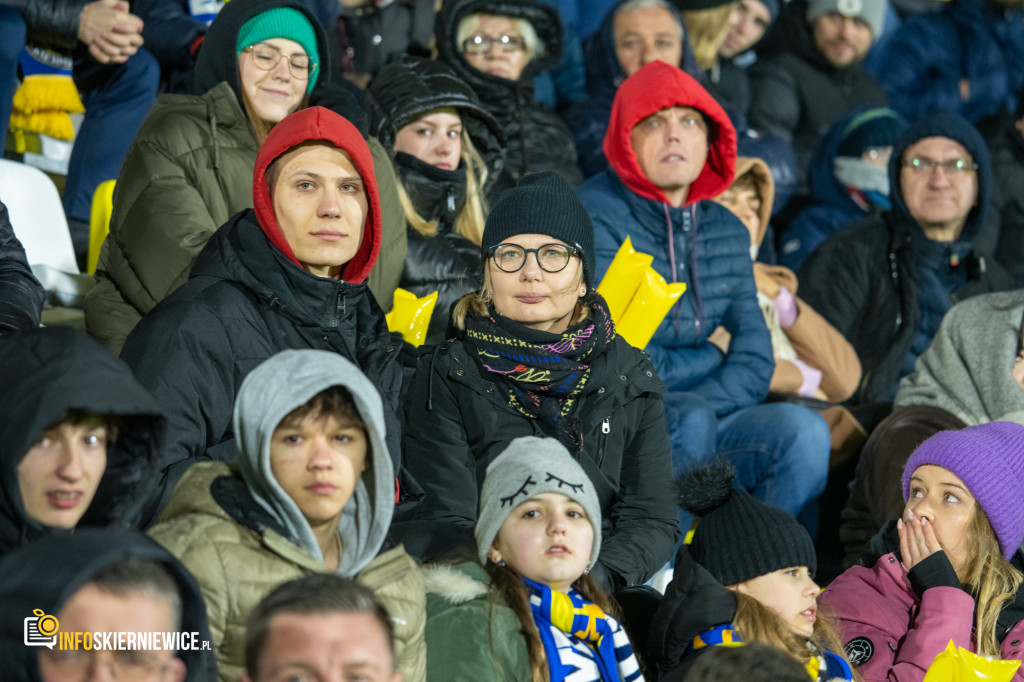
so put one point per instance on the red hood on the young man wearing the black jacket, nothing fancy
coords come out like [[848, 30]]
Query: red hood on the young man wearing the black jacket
[[310, 124]]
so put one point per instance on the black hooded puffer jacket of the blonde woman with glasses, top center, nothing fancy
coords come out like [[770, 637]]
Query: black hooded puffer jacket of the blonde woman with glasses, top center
[[537, 138]]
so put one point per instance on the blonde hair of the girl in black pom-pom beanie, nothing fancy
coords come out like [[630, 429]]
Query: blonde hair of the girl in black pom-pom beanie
[[757, 623]]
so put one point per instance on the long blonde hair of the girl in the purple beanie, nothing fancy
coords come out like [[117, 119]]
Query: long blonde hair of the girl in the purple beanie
[[992, 581]]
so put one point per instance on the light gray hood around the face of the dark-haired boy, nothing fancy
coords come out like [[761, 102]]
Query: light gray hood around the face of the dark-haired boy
[[289, 380]]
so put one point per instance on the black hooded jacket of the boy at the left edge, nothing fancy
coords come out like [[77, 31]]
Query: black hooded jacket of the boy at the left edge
[[47, 372]]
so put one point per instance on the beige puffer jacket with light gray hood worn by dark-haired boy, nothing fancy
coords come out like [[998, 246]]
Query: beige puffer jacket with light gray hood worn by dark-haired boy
[[241, 534]]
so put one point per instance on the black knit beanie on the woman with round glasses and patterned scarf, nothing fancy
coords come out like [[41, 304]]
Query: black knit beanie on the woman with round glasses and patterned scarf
[[543, 204]]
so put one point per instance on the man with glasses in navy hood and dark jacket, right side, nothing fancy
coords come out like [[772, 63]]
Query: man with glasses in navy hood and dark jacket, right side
[[886, 282]]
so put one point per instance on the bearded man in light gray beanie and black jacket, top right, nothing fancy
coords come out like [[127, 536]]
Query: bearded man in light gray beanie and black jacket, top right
[[799, 93]]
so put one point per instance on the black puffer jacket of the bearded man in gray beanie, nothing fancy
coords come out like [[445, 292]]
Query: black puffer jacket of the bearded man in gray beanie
[[796, 95]]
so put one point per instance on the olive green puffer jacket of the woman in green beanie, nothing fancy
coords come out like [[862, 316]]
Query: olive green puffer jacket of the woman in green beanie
[[189, 170]]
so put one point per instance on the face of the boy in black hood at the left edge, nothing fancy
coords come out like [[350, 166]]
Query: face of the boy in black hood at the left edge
[[59, 477]]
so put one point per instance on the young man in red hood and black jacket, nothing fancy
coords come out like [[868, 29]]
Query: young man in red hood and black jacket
[[289, 274]]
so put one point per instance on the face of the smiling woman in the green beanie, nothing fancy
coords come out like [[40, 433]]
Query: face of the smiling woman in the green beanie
[[273, 95]]
